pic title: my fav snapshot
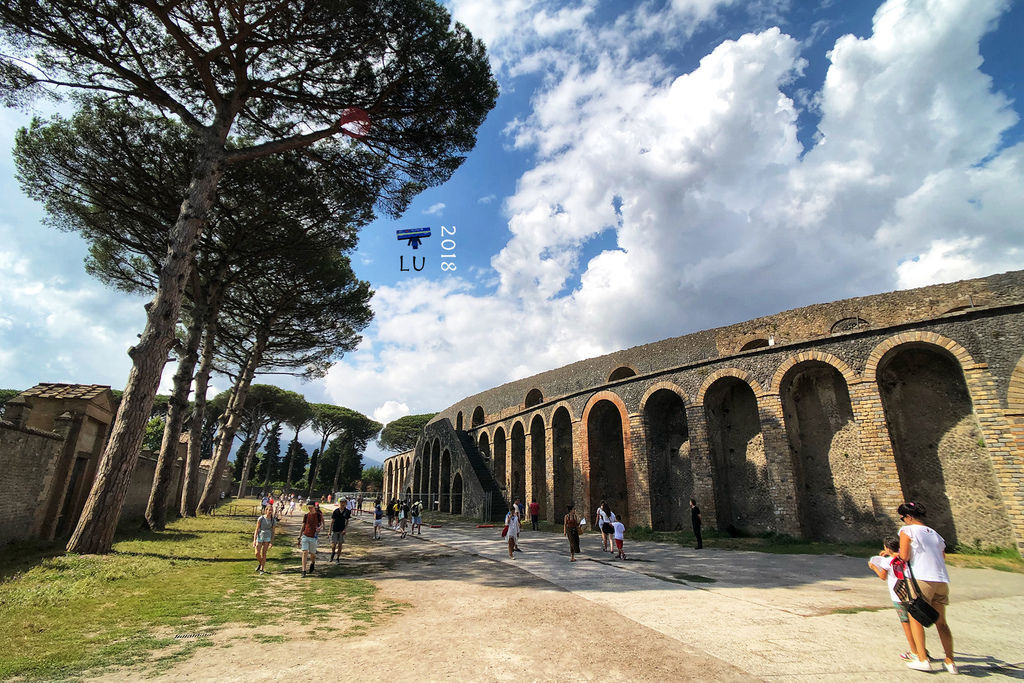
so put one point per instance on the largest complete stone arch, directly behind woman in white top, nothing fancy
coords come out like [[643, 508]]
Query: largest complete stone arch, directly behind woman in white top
[[942, 458]]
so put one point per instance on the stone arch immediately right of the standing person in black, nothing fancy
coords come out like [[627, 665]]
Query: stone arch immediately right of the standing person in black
[[740, 466]]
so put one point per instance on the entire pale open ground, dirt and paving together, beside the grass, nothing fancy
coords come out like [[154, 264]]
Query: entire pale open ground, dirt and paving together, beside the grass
[[451, 606]]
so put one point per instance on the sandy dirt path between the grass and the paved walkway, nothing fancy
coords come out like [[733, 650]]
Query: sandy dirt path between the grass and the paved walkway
[[460, 618]]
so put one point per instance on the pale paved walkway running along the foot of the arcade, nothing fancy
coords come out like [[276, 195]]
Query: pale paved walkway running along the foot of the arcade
[[793, 617]]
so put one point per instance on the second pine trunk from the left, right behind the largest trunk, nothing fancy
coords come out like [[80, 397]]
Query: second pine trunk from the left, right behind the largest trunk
[[156, 511]]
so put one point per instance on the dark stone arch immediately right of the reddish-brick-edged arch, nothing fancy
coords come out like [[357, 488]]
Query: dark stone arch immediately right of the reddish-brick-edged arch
[[670, 473]]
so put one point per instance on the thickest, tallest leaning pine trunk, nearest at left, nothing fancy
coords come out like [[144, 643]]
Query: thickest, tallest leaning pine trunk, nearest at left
[[95, 532]]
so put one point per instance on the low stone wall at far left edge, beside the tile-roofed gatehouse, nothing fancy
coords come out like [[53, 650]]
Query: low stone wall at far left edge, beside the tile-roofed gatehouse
[[28, 457]]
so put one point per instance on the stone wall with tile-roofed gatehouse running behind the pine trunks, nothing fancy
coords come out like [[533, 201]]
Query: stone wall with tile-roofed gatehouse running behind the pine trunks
[[52, 438]]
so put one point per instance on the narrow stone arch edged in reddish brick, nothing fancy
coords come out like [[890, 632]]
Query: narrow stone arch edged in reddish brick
[[609, 454]]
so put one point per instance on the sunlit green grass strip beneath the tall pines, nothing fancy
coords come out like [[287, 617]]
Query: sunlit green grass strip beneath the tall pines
[[65, 615]]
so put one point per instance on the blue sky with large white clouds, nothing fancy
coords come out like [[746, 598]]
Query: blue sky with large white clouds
[[651, 169]]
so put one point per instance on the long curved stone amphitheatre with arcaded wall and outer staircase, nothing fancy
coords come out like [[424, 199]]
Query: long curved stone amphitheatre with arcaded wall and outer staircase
[[815, 423]]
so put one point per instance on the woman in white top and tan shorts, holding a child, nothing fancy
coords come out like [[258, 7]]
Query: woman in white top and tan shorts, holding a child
[[926, 551]]
